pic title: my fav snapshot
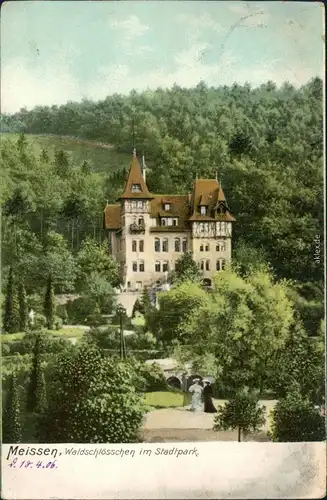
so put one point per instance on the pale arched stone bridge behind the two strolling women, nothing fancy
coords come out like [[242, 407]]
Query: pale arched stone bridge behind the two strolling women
[[175, 376]]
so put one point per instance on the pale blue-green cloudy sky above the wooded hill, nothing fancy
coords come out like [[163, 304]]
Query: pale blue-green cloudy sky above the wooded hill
[[53, 52]]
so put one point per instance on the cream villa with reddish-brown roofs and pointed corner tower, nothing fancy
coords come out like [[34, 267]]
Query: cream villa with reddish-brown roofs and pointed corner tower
[[149, 232]]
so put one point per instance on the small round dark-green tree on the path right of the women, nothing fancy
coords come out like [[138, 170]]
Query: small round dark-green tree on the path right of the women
[[242, 413]]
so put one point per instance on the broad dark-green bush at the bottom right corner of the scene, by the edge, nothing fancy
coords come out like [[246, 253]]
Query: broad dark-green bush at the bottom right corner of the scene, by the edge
[[295, 418]]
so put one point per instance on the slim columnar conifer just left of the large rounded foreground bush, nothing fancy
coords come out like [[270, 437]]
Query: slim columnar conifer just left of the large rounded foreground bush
[[36, 391]]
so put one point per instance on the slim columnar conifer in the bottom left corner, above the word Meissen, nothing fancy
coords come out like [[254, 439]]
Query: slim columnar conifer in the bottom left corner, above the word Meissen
[[11, 418]]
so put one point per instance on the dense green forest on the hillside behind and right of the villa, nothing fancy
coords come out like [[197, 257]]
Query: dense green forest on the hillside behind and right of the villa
[[265, 143]]
